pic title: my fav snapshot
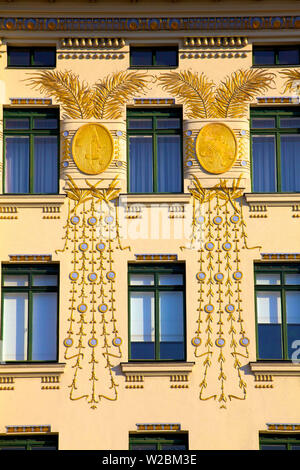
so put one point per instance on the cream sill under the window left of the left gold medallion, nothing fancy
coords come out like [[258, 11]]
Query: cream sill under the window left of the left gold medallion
[[32, 200]]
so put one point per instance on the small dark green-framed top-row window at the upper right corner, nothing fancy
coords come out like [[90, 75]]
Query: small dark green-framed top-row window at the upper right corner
[[276, 52]]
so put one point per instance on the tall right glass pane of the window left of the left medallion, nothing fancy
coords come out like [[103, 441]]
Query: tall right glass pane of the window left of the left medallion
[[45, 164]]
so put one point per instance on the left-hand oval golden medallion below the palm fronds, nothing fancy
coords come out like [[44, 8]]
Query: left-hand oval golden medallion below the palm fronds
[[92, 148]]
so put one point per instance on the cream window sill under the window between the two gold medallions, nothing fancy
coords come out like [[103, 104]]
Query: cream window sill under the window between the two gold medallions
[[155, 198]]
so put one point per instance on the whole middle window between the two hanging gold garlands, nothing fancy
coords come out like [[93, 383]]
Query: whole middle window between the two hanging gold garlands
[[156, 312]]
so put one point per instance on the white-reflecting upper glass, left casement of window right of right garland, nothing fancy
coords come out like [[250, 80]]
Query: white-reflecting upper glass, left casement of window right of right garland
[[268, 307]]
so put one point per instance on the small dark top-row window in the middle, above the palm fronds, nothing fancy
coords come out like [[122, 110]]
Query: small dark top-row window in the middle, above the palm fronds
[[154, 57]]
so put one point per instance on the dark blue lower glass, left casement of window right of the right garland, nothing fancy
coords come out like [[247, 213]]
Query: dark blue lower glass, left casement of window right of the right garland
[[269, 341]]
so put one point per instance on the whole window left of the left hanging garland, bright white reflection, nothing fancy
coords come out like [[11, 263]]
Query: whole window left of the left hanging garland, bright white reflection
[[29, 313]]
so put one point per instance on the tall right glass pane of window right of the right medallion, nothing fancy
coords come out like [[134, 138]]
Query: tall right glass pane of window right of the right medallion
[[290, 162]]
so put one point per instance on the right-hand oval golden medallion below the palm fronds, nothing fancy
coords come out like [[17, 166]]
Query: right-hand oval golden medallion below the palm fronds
[[216, 148]]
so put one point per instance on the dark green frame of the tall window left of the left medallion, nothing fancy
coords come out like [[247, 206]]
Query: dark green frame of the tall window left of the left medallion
[[31, 114]]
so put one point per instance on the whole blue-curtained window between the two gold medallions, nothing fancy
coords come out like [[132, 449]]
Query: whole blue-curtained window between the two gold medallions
[[155, 151]]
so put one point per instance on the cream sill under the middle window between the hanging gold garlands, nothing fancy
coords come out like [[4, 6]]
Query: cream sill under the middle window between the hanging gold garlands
[[156, 369]]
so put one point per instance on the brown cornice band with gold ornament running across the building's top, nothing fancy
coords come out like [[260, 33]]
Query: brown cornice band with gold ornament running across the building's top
[[241, 23]]
